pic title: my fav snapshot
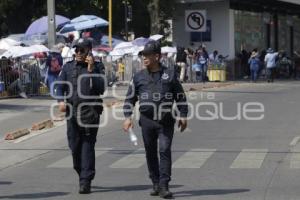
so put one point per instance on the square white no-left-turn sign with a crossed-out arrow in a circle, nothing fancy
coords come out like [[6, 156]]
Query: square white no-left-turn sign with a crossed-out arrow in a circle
[[195, 20]]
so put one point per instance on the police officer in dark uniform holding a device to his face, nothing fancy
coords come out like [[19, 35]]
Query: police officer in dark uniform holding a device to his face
[[82, 126]]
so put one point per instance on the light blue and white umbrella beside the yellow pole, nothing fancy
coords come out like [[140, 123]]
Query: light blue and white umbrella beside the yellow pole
[[84, 22]]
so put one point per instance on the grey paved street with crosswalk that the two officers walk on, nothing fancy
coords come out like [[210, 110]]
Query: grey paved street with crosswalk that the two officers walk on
[[212, 160]]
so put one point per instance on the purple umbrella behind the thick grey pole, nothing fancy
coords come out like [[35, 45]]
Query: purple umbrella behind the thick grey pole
[[40, 25]]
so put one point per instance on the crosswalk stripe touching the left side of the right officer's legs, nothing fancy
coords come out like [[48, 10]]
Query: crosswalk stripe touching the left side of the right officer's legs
[[133, 160]]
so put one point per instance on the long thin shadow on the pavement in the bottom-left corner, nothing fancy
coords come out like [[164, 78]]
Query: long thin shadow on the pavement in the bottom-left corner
[[41, 195]]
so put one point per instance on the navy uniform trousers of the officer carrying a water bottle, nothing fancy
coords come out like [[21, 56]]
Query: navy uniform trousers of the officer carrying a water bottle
[[152, 131]]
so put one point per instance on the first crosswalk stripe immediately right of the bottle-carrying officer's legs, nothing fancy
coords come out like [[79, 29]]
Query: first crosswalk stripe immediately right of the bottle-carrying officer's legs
[[193, 159]]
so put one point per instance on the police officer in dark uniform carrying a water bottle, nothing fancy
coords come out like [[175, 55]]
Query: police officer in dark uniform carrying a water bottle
[[156, 87]]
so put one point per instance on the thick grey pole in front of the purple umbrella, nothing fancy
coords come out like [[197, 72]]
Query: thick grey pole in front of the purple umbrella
[[51, 23]]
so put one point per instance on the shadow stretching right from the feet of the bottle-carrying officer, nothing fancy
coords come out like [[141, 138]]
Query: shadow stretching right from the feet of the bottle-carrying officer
[[191, 193]]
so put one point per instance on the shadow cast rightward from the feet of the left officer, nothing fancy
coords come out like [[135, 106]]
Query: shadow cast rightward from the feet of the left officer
[[126, 188]]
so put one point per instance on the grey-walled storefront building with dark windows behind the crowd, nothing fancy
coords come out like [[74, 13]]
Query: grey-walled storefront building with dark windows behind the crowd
[[235, 25]]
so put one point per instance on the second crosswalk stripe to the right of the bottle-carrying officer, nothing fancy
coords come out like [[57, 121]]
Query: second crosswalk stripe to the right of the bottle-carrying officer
[[249, 159]]
